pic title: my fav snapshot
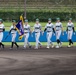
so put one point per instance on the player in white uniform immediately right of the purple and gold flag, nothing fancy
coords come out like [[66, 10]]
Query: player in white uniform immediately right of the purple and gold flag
[[26, 34]]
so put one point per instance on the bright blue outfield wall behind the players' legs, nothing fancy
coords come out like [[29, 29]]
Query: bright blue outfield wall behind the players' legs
[[43, 38]]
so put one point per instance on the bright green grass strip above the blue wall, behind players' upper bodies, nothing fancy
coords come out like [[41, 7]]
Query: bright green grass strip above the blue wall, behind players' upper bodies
[[8, 24]]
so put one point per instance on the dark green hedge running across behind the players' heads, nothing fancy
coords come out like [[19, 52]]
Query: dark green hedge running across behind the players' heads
[[42, 15]]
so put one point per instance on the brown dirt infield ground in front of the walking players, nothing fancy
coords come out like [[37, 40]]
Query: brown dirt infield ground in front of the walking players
[[38, 62]]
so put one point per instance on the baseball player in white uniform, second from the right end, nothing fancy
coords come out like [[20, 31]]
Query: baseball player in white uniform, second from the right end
[[58, 30]]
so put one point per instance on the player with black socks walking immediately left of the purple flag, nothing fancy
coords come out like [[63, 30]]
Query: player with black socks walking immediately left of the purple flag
[[13, 31]]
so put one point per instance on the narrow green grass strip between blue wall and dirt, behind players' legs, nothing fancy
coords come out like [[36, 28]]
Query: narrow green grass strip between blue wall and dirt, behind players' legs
[[43, 43]]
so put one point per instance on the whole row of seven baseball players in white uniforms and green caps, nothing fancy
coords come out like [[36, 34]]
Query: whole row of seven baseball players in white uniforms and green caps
[[50, 28]]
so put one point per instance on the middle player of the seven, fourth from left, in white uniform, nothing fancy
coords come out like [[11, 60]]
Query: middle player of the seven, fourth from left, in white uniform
[[37, 30]]
